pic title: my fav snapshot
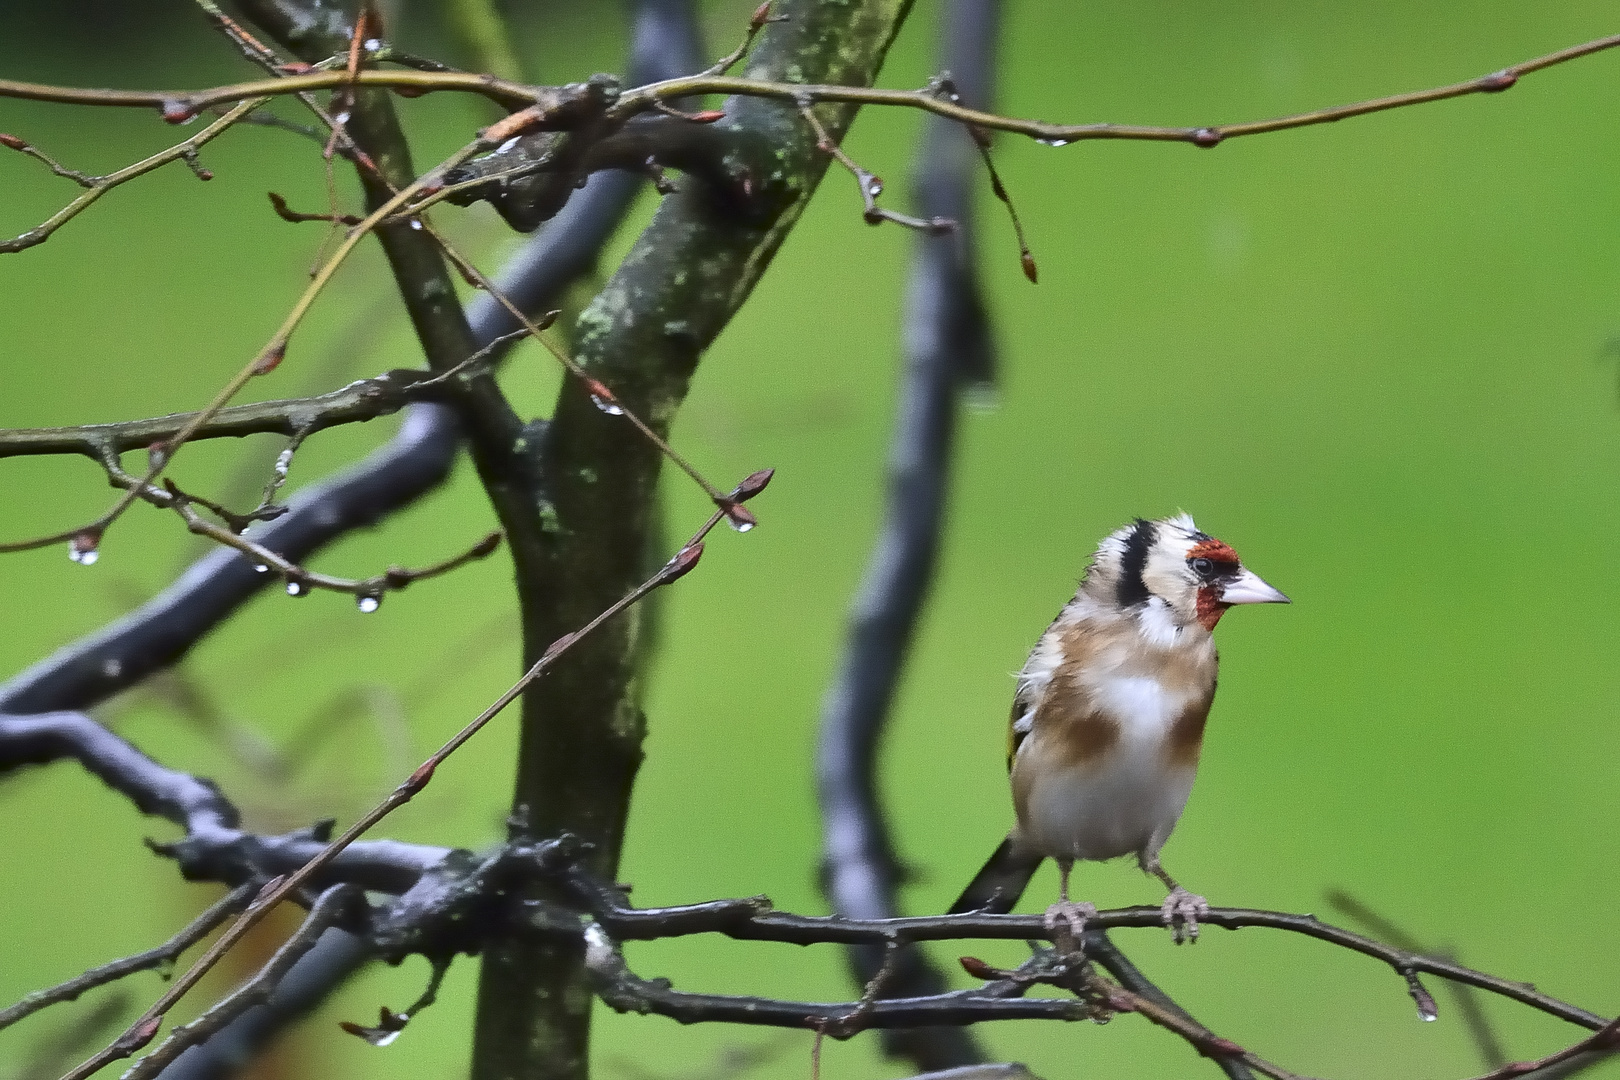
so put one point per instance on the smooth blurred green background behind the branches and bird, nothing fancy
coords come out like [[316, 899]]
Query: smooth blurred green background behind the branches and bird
[[1376, 357]]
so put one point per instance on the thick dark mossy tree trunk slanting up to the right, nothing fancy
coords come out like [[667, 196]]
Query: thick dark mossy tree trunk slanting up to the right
[[644, 334]]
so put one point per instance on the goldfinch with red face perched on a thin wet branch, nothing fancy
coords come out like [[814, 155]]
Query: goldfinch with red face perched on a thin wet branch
[[1109, 718]]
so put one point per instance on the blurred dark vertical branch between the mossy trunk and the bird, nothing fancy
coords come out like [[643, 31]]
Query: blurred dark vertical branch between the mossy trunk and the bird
[[947, 341]]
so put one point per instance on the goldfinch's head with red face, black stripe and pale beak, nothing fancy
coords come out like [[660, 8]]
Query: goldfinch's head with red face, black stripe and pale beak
[[1172, 564]]
